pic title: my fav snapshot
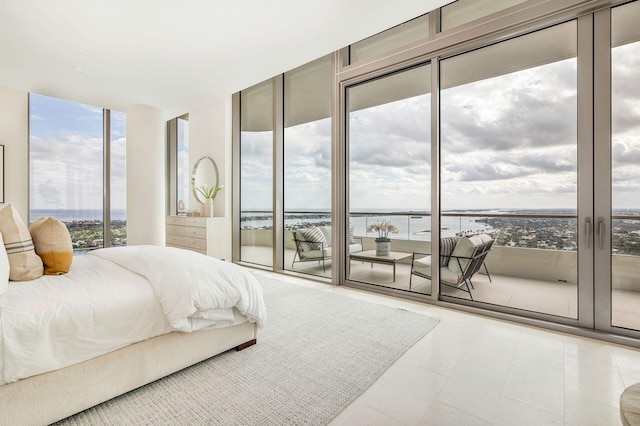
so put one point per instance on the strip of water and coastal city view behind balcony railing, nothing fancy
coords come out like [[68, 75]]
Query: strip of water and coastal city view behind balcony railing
[[541, 229]]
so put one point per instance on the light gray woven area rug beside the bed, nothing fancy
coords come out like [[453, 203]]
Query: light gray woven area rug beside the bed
[[317, 353]]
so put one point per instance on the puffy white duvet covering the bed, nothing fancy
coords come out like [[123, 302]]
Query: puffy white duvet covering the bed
[[114, 297]]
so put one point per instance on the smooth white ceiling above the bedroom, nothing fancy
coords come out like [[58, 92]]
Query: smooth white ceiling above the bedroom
[[172, 55]]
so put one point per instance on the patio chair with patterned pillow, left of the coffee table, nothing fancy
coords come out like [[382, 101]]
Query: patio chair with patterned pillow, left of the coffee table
[[314, 245]]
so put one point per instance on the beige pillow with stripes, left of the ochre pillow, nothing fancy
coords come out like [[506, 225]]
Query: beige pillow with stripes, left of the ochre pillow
[[24, 263]]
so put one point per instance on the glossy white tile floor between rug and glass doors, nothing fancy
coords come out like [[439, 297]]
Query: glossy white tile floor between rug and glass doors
[[473, 370]]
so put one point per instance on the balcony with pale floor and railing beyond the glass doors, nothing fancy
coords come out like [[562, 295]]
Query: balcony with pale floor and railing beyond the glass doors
[[533, 264]]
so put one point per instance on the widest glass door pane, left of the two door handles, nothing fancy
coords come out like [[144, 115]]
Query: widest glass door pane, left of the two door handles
[[509, 168]]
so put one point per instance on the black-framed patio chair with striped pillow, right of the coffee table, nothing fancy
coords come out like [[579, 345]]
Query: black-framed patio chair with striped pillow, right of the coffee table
[[460, 259]]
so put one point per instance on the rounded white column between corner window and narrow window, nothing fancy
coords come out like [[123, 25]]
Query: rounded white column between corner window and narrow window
[[145, 176]]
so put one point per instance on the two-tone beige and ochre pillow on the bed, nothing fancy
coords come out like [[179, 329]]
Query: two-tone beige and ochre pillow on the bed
[[53, 244]]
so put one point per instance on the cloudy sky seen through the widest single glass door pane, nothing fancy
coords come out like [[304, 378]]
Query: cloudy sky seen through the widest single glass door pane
[[511, 141]]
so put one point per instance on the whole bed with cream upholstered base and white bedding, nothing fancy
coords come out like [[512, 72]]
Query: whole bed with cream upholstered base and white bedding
[[119, 319]]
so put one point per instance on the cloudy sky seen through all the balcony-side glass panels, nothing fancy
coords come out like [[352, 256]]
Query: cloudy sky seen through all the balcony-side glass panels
[[507, 142]]
